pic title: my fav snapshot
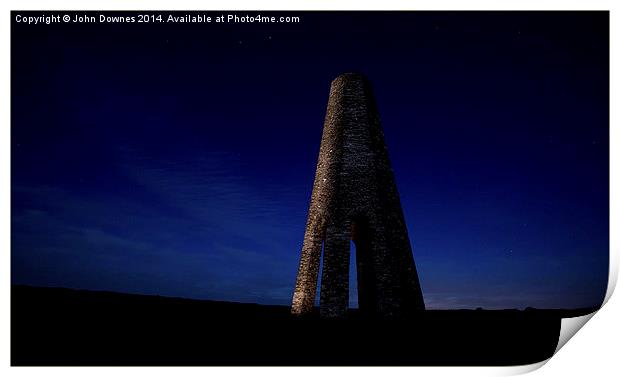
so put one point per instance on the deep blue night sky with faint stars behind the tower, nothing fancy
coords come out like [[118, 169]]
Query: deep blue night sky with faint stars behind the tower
[[178, 160]]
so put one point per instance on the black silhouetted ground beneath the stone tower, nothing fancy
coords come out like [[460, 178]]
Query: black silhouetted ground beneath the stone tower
[[57, 326]]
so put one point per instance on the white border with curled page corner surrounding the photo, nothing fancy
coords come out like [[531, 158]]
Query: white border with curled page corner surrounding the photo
[[595, 349]]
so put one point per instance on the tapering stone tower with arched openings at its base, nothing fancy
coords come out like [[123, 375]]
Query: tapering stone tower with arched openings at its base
[[354, 197]]
